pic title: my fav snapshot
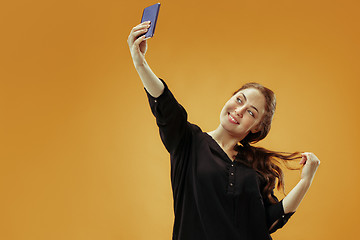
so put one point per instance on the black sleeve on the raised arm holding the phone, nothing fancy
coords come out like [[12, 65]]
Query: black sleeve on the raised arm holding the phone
[[171, 119]]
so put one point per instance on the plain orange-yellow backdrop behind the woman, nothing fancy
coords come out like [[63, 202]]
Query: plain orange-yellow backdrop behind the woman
[[80, 155]]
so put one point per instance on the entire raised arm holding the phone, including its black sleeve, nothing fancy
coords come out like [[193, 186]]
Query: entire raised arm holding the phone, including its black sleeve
[[171, 117]]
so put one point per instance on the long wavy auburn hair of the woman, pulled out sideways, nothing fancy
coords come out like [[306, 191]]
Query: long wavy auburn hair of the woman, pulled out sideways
[[264, 161]]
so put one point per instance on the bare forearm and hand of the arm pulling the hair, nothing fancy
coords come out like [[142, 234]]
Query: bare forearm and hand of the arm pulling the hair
[[293, 199]]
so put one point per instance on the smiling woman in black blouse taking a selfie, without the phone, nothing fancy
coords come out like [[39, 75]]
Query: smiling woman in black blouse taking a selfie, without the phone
[[222, 186]]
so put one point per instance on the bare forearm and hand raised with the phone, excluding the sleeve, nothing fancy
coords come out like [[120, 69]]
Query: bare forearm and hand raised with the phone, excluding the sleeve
[[138, 48]]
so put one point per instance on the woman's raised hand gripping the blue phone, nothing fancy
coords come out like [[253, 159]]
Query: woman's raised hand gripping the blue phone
[[138, 45]]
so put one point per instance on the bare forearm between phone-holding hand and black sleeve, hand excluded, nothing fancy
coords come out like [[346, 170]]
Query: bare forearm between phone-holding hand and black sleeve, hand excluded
[[150, 81]]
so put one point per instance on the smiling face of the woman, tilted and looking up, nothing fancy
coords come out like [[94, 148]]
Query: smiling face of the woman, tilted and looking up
[[243, 112]]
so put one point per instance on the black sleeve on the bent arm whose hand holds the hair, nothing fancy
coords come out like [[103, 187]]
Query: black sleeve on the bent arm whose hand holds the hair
[[275, 213]]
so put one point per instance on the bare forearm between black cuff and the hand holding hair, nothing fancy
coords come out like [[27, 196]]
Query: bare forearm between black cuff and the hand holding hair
[[292, 201]]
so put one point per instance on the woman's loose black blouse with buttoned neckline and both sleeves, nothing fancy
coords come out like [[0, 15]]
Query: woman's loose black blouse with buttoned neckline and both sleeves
[[214, 197]]
